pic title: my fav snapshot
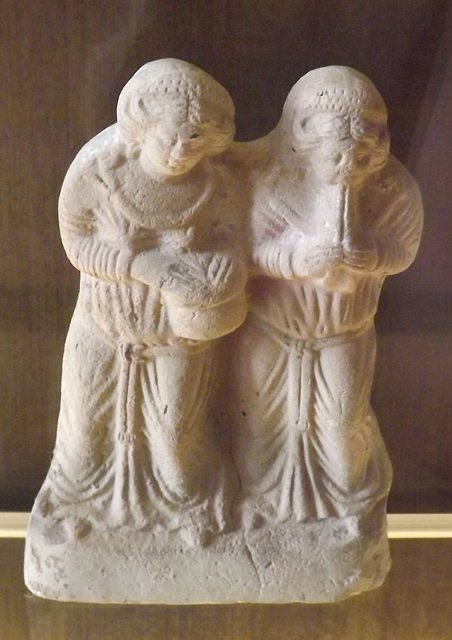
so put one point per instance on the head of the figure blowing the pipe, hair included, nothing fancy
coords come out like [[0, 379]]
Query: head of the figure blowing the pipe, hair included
[[334, 121]]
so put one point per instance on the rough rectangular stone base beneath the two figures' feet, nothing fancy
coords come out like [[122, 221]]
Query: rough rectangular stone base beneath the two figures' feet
[[315, 561]]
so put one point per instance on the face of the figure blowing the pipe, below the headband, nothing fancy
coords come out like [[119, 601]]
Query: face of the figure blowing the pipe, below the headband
[[342, 148]]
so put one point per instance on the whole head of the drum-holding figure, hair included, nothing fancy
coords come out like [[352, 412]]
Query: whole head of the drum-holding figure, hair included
[[177, 114]]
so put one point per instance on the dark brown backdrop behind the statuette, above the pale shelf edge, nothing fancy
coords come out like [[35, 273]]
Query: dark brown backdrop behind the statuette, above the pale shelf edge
[[63, 63]]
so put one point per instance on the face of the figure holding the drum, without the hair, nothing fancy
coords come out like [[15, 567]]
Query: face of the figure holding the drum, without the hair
[[175, 145]]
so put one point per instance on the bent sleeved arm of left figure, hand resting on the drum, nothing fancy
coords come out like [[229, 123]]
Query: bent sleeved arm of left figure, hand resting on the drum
[[98, 241]]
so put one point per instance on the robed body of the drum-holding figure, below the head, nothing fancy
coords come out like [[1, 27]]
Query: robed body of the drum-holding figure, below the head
[[139, 438]]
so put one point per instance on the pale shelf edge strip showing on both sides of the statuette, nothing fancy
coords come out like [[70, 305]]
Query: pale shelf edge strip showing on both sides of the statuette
[[400, 525]]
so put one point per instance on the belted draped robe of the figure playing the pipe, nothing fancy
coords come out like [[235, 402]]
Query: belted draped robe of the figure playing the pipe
[[307, 444]]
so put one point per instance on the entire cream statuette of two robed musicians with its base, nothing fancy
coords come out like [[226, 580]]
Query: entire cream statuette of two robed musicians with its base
[[203, 454]]
